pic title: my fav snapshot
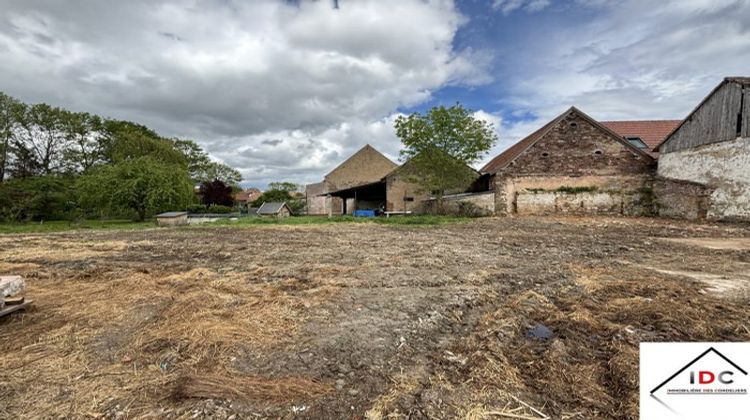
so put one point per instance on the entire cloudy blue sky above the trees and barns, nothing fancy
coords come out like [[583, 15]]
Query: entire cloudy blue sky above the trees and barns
[[286, 90]]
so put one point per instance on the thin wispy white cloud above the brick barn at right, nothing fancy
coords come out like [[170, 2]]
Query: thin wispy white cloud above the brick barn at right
[[637, 60]]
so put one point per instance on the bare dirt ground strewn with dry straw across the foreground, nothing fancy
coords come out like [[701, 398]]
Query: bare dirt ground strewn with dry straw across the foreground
[[494, 318]]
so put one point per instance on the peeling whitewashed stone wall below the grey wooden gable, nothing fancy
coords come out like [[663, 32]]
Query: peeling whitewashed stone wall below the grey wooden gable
[[722, 167]]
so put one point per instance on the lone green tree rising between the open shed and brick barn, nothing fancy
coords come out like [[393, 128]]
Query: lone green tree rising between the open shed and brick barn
[[440, 145]]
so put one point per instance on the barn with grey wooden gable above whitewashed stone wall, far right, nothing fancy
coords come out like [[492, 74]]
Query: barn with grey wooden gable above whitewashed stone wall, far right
[[704, 164]]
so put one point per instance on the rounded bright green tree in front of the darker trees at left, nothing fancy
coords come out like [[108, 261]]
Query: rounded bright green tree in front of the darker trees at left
[[143, 185]]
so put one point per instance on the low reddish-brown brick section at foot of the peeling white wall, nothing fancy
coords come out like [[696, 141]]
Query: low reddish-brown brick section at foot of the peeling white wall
[[681, 199]]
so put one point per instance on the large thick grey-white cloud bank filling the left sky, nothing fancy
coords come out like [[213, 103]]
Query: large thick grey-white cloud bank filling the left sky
[[232, 74]]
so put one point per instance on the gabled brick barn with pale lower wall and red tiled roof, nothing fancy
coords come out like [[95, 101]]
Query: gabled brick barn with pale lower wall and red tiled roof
[[575, 164]]
